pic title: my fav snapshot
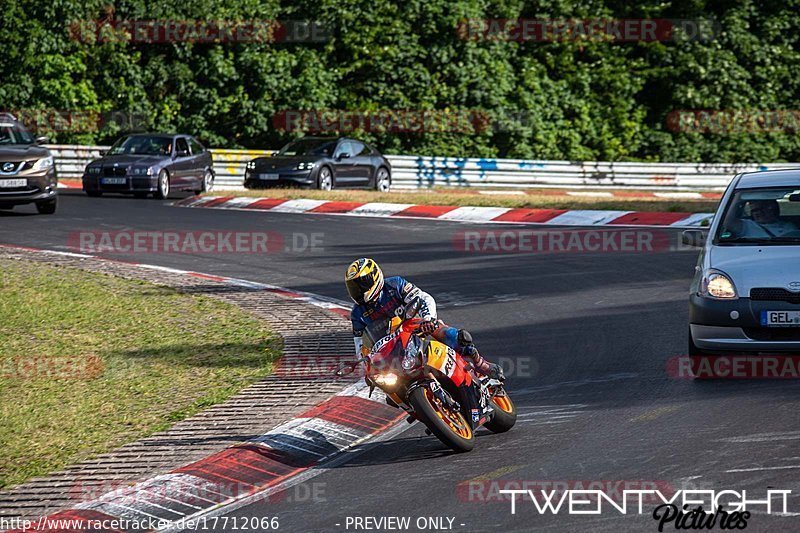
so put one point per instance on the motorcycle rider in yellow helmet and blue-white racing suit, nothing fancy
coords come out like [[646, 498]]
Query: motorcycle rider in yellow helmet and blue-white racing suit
[[378, 300]]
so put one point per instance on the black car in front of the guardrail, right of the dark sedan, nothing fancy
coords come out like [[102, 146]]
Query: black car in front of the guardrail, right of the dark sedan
[[321, 162]]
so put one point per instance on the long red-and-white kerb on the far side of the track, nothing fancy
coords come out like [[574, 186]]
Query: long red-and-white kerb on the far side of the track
[[504, 215]]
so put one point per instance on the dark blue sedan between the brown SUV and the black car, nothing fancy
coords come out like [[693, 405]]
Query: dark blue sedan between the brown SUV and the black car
[[154, 163]]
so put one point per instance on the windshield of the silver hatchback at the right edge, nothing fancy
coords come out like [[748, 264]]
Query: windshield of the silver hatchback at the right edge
[[762, 216]]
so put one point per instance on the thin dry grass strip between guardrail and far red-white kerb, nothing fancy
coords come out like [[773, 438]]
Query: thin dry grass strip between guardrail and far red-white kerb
[[532, 200]]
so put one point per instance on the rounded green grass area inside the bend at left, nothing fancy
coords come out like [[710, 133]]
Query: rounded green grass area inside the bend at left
[[89, 362]]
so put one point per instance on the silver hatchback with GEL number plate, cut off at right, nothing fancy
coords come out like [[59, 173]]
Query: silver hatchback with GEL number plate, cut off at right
[[745, 296]]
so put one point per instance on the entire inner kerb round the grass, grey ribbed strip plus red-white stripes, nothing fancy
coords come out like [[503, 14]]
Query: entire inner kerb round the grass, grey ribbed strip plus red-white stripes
[[255, 456]]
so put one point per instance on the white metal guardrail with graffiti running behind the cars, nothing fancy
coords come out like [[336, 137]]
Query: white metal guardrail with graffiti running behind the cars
[[410, 172]]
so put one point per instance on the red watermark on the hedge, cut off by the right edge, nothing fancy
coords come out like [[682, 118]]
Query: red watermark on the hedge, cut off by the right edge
[[733, 121]]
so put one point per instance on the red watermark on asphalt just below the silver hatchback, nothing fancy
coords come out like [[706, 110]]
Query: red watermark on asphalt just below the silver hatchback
[[734, 367]]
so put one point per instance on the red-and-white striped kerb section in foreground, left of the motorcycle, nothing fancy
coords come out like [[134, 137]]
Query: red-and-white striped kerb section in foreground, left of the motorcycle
[[186, 493]]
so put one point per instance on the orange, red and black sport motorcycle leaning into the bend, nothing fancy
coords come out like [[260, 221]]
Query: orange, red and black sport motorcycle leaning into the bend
[[433, 384]]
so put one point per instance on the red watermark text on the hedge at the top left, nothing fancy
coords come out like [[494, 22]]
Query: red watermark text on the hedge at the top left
[[199, 31]]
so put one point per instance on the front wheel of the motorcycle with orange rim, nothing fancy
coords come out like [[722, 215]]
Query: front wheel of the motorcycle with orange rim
[[451, 428]]
